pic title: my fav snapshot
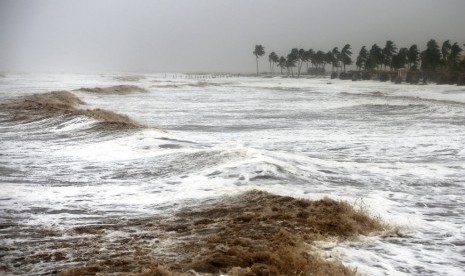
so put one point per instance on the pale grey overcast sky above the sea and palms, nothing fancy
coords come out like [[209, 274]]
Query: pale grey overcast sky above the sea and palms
[[97, 36]]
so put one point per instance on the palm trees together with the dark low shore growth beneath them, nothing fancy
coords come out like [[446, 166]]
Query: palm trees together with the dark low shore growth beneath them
[[445, 64]]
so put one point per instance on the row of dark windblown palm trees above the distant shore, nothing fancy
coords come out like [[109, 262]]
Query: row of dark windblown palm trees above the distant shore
[[433, 58]]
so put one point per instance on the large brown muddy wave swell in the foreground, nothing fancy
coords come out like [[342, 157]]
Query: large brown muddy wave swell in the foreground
[[256, 233]]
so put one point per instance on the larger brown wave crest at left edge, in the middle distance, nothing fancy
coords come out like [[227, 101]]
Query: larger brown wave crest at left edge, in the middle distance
[[60, 103]]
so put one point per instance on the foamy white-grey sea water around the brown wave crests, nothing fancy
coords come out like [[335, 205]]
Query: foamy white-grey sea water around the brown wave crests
[[398, 150]]
